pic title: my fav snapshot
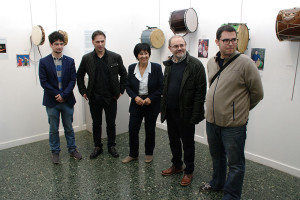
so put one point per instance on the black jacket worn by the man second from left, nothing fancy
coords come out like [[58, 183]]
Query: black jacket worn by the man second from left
[[115, 68]]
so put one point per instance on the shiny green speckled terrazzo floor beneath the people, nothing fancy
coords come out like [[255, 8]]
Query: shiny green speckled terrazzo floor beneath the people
[[26, 172]]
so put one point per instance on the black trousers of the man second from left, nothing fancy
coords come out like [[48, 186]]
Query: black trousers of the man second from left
[[110, 110]]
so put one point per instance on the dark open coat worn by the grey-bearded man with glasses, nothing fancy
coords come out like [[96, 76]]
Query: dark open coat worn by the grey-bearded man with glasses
[[192, 91]]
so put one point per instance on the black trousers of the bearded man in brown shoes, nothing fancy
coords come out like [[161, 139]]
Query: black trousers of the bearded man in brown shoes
[[181, 136]]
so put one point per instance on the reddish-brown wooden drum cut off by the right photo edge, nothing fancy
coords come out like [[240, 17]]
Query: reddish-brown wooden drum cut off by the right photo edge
[[288, 25]]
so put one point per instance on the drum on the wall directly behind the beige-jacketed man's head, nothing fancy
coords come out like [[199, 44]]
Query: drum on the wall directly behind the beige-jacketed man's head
[[242, 36]]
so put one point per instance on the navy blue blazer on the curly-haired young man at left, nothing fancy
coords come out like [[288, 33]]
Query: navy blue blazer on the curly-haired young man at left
[[49, 80]]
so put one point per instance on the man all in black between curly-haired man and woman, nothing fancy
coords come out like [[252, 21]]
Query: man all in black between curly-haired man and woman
[[104, 88]]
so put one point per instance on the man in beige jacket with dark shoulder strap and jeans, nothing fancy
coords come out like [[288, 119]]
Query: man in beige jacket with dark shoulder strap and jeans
[[232, 94]]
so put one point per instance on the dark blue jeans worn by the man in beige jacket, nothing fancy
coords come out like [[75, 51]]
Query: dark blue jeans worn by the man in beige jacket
[[226, 146]]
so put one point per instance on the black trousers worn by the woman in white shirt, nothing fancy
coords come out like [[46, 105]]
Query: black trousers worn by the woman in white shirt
[[135, 121]]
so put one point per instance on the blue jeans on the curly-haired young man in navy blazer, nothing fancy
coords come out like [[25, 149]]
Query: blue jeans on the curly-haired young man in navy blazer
[[67, 119]]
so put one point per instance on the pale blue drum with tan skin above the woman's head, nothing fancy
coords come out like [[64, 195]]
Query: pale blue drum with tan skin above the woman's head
[[154, 37]]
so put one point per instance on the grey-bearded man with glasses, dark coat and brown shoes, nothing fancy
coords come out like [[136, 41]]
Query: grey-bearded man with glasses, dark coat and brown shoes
[[182, 106]]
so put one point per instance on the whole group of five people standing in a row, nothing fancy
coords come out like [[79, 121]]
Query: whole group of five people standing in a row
[[179, 95]]
